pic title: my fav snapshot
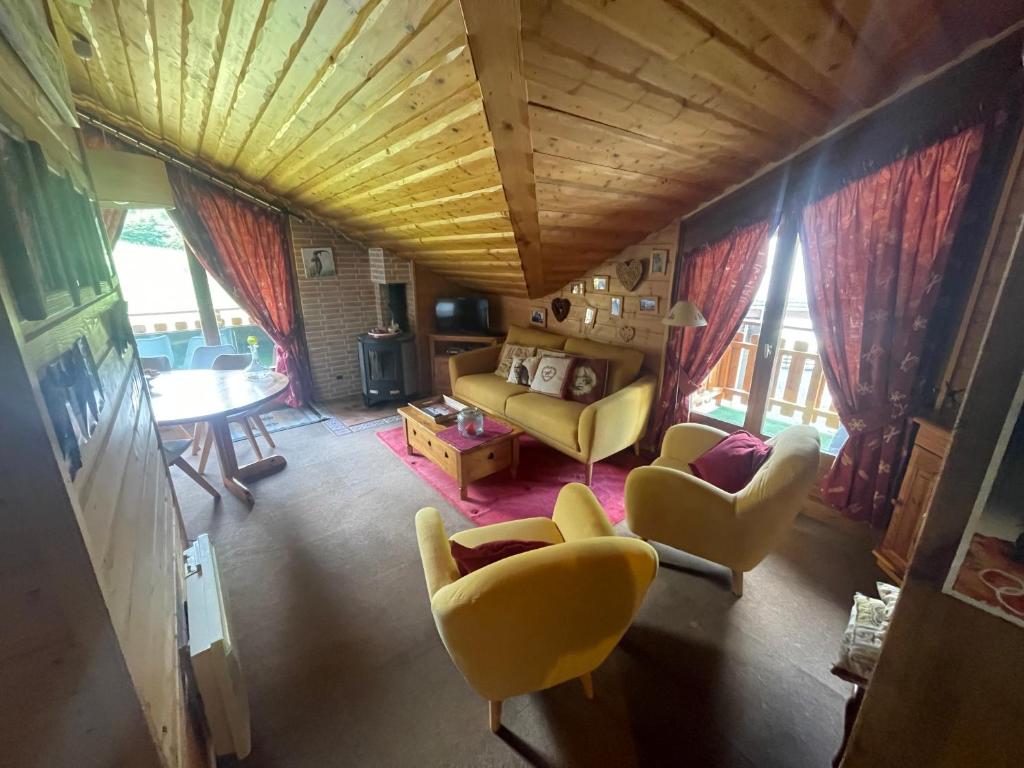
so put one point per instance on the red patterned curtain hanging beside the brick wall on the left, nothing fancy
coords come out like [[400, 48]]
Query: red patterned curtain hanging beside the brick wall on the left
[[244, 246]]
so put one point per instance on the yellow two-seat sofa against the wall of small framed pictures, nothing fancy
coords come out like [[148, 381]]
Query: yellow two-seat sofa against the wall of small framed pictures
[[588, 434]]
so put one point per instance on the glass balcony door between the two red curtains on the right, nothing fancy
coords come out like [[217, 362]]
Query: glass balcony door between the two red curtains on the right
[[771, 377]]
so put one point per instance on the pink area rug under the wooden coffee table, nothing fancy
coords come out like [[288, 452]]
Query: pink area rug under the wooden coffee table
[[543, 473]]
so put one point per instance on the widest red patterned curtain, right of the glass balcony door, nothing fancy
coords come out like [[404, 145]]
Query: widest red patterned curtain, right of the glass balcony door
[[876, 253]]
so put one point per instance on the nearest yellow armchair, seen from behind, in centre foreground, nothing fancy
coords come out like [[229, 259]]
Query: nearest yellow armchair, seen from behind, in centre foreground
[[540, 618]]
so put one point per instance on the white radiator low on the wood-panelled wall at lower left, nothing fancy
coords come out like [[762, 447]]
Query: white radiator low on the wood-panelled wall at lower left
[[216, 660]]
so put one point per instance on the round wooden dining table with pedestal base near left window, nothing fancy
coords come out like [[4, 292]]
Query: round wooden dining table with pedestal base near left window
[[216, 397]]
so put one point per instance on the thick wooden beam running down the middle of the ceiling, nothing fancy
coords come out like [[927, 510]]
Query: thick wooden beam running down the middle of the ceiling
[[495, 30]]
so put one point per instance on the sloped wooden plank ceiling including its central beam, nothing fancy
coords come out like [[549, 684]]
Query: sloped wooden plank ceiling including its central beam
[[508, 145]]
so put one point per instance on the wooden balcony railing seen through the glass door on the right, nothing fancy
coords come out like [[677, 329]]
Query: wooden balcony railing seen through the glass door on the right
[[798, 393]]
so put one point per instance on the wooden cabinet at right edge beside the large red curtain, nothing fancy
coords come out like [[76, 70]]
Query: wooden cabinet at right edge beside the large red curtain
[[911, 507]]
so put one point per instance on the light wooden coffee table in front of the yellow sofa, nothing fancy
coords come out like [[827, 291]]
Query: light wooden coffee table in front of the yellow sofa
[[467, 465]]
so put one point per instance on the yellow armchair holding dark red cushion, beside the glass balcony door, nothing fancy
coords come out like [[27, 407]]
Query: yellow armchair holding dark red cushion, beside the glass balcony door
[[667, 503]]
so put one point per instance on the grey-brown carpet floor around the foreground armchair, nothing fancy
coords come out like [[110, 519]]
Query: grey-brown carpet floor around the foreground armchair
[[345, 666]]
